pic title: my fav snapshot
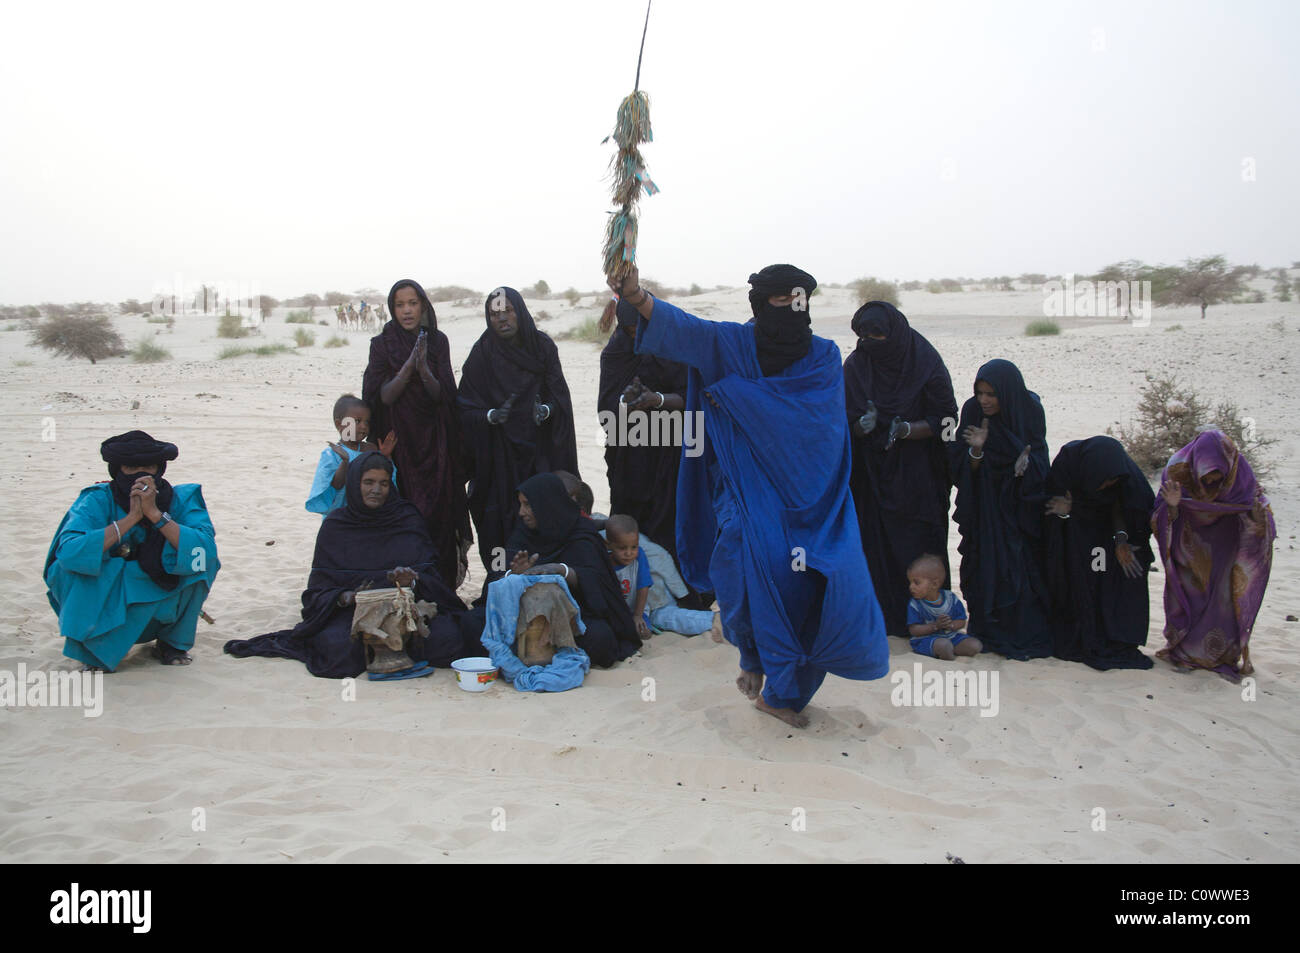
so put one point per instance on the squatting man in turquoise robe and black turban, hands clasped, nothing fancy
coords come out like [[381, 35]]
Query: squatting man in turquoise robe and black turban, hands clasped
[[133, 560]]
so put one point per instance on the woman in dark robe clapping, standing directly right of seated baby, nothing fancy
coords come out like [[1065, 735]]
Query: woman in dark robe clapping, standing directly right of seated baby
[[1000, 467]]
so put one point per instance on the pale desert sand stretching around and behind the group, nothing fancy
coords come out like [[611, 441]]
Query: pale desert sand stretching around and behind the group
[[285, 770]]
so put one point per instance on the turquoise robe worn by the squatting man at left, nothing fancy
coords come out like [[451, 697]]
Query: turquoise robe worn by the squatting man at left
[[106, 604]]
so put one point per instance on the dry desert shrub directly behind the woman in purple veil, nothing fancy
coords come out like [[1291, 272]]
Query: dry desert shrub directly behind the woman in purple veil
[[1171, 415]]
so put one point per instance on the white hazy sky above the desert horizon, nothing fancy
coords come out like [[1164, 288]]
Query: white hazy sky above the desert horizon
[[335, 146]]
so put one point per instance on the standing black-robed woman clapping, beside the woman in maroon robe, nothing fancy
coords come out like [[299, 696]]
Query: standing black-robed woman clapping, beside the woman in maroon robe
[[515, 414]]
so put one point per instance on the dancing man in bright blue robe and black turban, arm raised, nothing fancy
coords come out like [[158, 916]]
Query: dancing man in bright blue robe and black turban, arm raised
[[765, 518]]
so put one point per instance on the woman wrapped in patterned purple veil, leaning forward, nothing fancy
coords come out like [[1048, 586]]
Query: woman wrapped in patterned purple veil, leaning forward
[[1216, 531]]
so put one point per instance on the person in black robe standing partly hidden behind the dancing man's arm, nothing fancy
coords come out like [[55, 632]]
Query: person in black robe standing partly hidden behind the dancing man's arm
[[643, 480]]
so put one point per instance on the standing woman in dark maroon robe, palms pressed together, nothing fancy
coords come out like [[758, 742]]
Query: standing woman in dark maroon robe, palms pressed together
[[411, 391]]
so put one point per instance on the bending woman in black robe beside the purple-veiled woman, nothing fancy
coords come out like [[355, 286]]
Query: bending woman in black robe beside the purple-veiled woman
[[1099, 553]]
